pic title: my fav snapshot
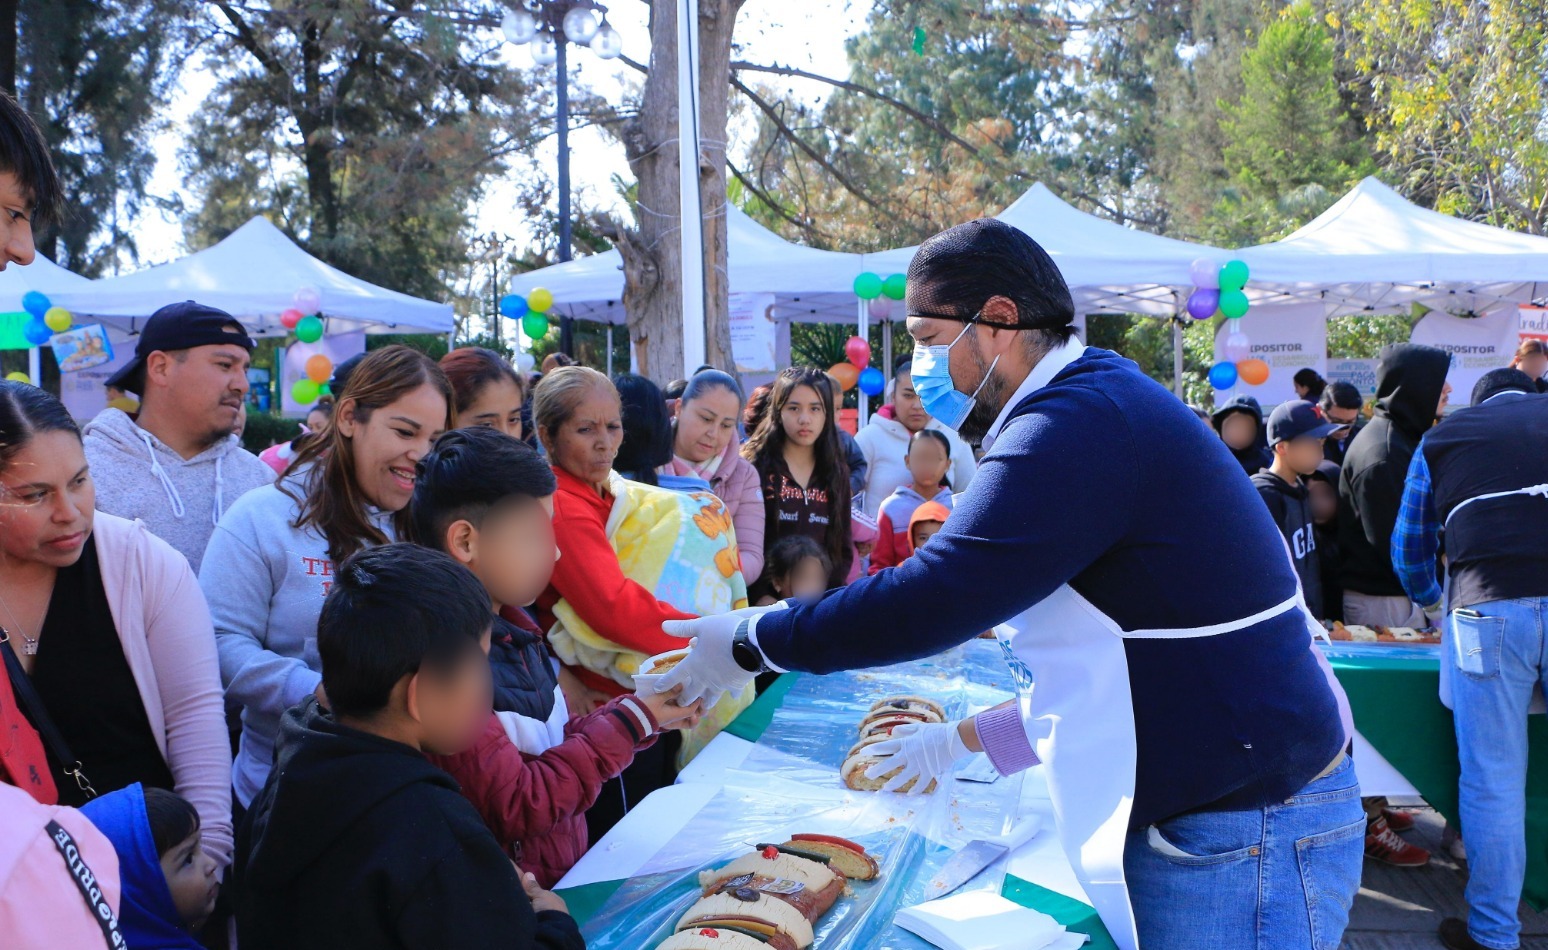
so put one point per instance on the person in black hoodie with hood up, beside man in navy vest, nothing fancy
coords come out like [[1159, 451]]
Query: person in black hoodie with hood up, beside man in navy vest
[[1411, 394]]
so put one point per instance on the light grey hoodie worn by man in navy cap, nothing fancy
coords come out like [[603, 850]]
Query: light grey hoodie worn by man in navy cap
[[180, 501]]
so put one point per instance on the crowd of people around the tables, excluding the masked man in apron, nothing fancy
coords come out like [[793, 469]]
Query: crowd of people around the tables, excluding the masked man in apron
[[374, 686]]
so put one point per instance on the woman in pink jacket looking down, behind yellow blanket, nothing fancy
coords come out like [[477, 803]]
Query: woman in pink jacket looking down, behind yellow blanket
[[705, 445]]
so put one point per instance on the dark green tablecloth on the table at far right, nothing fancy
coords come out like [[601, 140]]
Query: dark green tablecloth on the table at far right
[[1399, 711]]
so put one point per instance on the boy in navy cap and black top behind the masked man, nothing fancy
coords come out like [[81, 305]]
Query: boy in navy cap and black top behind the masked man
[[1295, 434]]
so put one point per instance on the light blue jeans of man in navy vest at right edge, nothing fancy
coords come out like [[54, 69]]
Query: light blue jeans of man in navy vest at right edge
[[1498, 657]]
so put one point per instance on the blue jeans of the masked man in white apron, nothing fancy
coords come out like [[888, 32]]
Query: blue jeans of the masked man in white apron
[[1275, 878]]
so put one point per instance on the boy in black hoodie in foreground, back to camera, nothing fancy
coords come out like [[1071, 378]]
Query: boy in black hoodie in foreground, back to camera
[[358, 841]]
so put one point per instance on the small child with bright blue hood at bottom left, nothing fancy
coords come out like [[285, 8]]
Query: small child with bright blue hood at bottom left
[[168, 881]]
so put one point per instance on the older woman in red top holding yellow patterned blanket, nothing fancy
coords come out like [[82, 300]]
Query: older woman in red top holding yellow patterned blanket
[[631, 559]]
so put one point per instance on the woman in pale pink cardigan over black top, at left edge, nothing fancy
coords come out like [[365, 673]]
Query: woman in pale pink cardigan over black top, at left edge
[[108, 632]]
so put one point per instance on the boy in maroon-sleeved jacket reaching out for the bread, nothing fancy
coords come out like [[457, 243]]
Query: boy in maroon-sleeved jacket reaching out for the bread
[[487, 501]]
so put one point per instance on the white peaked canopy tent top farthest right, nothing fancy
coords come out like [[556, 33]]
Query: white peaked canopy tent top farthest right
[[1377, 251]]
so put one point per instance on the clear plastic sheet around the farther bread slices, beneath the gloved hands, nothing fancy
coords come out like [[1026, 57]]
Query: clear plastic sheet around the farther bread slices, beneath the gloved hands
[[818, 722]]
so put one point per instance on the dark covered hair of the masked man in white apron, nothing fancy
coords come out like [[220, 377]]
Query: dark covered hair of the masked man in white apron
[[959, 270]]
